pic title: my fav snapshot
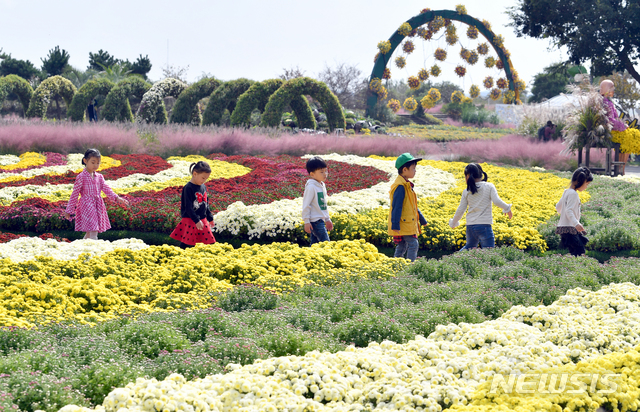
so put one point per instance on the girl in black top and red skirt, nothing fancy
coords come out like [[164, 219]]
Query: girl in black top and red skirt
[[195, 226]]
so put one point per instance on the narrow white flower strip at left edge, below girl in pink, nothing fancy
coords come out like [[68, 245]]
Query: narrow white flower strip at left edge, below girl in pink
[[28, 248]]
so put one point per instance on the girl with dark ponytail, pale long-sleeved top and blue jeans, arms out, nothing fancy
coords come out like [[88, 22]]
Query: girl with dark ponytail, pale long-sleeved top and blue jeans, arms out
[[478, 198]]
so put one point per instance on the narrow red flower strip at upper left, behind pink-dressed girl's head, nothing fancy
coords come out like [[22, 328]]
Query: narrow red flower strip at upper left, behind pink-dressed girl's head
[[131, 164]]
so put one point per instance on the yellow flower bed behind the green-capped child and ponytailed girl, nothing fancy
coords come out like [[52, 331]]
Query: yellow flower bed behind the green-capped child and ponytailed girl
[[533, 195]]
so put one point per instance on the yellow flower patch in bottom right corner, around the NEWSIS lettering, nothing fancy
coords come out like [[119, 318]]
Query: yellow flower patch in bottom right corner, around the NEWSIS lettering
[[585, 388]]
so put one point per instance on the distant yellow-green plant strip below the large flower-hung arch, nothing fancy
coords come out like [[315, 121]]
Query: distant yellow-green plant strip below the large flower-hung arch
[[447, 133]]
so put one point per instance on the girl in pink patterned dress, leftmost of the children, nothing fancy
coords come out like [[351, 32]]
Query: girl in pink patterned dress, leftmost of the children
[[90, 212]]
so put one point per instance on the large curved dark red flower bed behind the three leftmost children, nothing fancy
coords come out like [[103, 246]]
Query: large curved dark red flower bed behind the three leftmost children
[[272, 178]]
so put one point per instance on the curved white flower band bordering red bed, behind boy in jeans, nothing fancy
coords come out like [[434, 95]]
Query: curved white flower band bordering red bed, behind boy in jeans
[[284, 215]]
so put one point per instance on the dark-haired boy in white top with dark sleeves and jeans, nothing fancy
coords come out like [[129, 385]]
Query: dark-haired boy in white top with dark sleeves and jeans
[[314, 202]]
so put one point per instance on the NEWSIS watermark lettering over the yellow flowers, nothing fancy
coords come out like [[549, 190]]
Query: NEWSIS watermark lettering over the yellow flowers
[[552, 383]]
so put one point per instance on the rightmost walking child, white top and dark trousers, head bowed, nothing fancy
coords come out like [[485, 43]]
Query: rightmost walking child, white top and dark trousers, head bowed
[[568, 207]]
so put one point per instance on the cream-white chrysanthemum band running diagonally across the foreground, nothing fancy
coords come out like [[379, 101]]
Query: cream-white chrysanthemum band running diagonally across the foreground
[[424, 373]]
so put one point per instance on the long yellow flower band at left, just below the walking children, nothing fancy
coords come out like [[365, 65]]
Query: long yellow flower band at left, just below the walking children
[[168, 278]]
